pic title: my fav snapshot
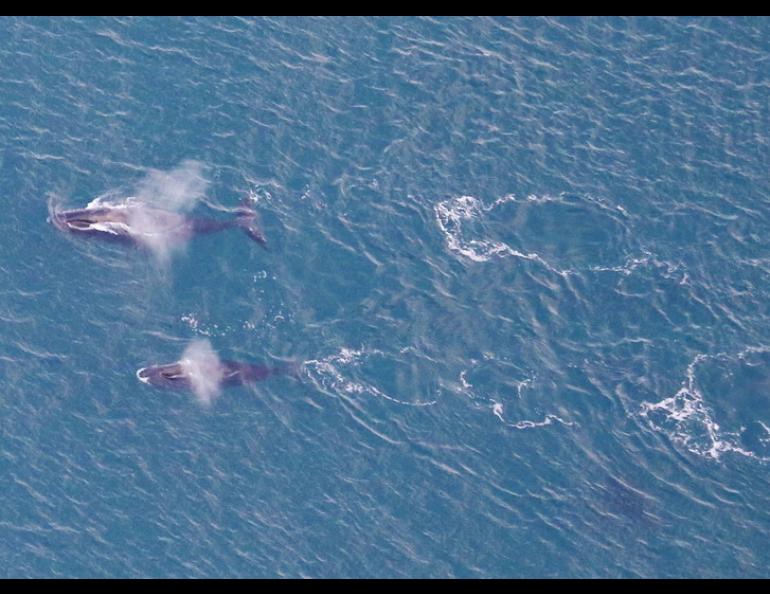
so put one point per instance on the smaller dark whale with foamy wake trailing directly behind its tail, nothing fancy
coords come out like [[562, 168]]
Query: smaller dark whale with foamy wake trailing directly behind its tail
[[179, 376]]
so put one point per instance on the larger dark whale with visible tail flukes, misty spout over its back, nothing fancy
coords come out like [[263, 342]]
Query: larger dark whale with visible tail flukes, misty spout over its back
[[135, 222]]
